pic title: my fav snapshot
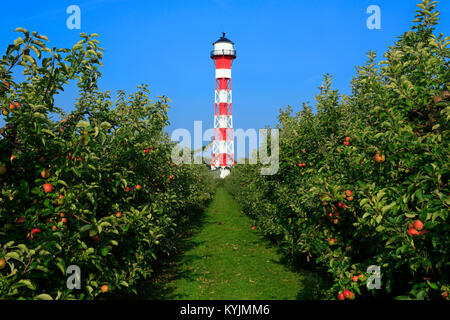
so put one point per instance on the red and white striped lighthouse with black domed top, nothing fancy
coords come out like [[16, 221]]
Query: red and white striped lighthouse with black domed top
[[223, 143]]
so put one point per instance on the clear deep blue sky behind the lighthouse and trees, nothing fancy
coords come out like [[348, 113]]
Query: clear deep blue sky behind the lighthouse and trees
[[283, 47]]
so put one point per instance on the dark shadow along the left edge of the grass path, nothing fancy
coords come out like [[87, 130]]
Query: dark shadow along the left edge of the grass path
[[158, 287]]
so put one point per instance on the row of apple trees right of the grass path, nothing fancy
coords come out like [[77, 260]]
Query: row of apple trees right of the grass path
[[364, 180]]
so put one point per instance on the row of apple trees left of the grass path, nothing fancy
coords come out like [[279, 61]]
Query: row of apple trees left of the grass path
[[94, 188]]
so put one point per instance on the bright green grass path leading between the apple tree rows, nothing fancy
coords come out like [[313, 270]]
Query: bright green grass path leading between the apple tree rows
[[226, 259]]
